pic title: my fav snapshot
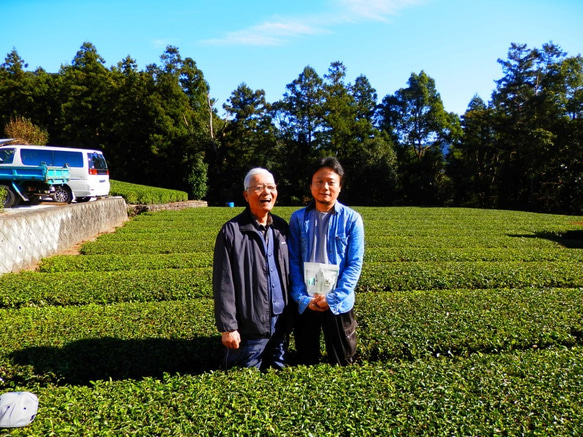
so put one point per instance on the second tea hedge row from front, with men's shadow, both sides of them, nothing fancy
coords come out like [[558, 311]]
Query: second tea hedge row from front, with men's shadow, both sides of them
[[133, 340]]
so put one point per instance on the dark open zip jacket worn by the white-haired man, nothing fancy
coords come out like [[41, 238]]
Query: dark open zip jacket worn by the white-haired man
[[242, 299]]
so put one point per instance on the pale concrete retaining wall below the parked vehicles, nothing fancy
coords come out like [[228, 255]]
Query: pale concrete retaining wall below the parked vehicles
[[29, 234]]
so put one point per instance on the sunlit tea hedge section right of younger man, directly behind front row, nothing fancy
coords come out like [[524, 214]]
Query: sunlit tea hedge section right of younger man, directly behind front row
[[411, 325]]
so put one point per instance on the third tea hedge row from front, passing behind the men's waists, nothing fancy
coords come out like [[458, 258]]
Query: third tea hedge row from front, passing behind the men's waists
[[77, 288]]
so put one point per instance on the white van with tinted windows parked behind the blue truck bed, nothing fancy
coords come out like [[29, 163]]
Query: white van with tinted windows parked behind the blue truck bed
[[88, 168]]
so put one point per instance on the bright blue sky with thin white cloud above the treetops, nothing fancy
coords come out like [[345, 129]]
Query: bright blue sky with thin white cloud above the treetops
[[266, 44]]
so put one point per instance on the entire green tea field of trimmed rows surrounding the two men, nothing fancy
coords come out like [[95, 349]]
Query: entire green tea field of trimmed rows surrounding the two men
[[470, 324]]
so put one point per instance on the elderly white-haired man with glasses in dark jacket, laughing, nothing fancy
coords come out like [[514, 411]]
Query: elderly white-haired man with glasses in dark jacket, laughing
[[250, 279]]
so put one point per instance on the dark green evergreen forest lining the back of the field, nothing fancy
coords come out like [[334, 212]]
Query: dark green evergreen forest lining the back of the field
[[160, 126]]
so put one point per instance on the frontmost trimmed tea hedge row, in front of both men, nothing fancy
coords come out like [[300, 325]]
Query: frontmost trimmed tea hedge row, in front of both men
[[526, 393]]
